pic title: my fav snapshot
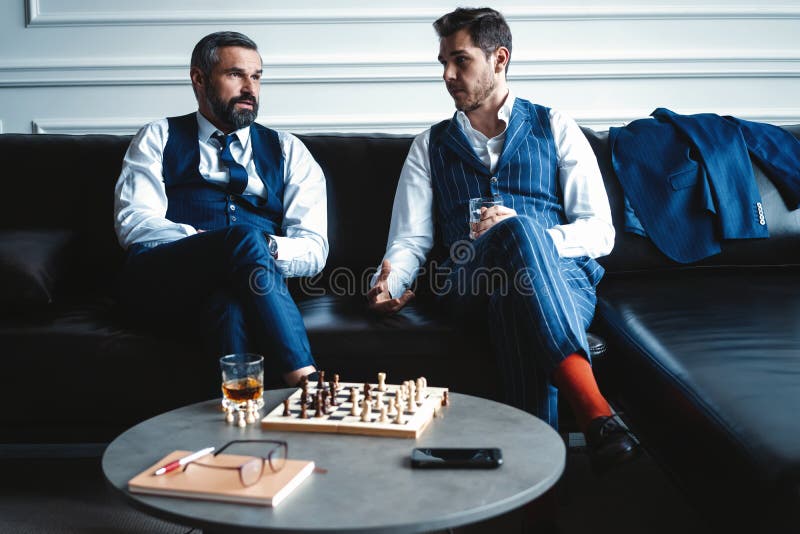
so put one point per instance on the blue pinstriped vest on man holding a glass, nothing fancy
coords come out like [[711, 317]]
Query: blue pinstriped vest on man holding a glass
[[526, 176]]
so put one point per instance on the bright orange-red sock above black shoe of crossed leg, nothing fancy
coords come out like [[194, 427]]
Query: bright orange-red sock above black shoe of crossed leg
[[574, 378]]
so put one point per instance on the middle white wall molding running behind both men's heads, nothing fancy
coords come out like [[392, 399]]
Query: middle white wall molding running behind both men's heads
[[166, 71]]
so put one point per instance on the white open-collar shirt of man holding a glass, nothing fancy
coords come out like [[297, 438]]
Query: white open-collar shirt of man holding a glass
[[589, 231]]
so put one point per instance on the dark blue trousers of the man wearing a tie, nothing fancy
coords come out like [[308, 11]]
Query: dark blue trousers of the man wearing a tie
[[225, 284]]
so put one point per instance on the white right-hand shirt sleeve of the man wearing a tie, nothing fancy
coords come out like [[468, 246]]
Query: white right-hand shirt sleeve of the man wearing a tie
[[303, 247]]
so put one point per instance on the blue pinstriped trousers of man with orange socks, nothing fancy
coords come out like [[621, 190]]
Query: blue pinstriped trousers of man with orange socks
[[535, 305]]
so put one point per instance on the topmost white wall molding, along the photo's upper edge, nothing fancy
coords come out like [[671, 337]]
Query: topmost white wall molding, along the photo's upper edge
[[37, 16]]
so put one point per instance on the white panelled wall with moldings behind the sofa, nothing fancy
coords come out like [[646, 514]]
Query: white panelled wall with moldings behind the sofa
[[72, 66]]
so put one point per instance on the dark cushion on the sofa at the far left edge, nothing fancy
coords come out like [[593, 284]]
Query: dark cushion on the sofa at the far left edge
[[32, 263]]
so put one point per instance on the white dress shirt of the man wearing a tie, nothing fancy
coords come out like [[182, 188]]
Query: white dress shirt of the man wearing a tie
[[141, 200]]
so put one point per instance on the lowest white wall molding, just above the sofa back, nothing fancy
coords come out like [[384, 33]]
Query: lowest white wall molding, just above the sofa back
[[405, 123]]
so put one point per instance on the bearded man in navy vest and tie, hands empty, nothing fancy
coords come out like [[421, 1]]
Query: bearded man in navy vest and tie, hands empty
[[215, 210]]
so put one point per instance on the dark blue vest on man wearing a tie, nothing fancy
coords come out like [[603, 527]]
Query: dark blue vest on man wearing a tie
[[195, 201]]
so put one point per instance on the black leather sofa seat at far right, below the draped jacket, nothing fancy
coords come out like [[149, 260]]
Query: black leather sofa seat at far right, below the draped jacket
[[711, 353]]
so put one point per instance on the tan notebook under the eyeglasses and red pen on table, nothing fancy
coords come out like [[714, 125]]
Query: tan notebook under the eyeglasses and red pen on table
[[221, 484]]
